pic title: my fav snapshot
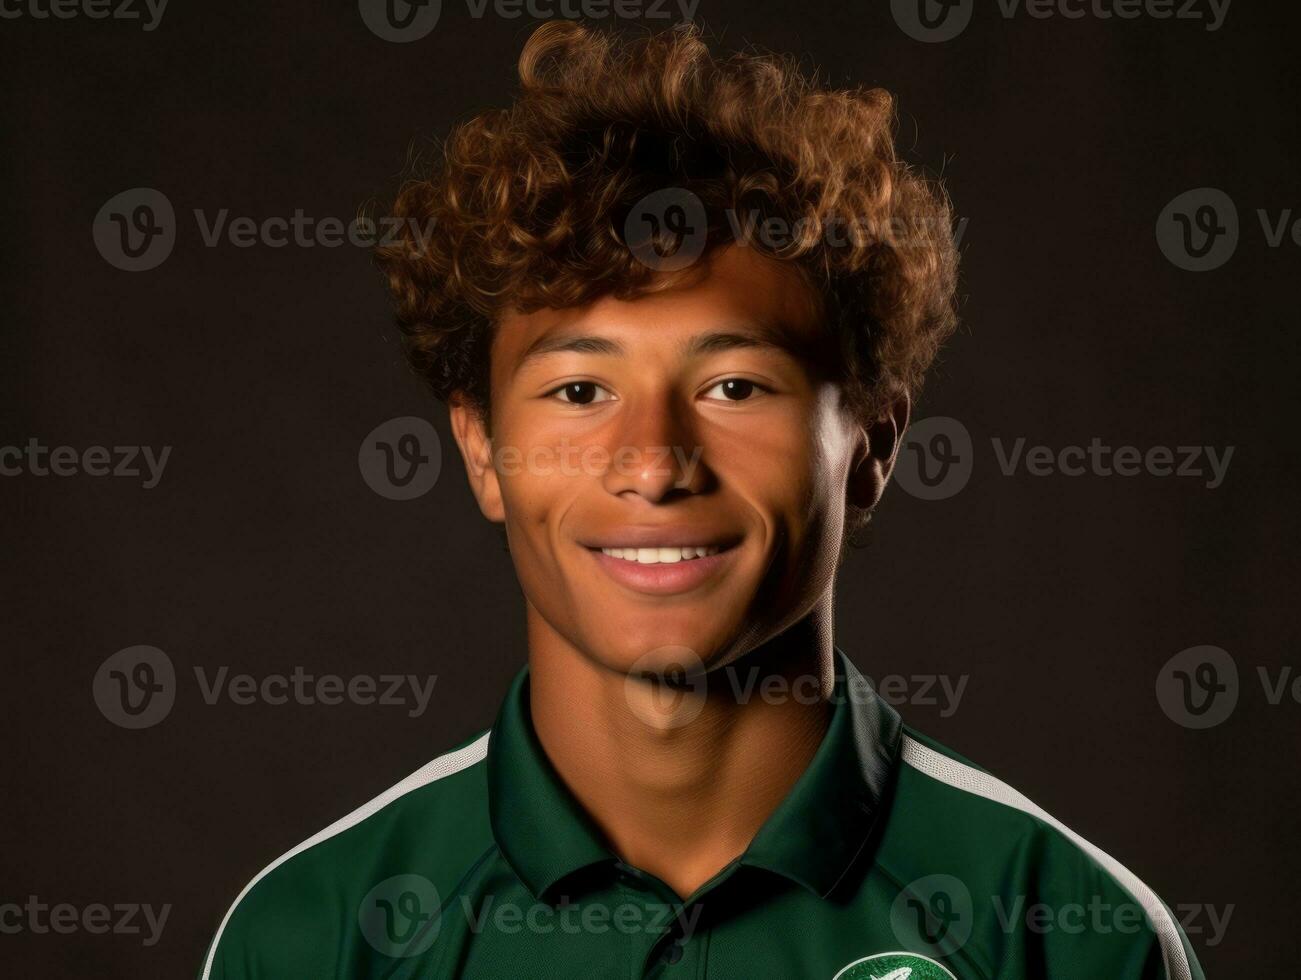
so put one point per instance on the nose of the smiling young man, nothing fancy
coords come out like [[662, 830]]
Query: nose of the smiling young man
[[658, 456]]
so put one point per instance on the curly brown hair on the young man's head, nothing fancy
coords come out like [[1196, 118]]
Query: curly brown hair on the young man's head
[[529, 206]]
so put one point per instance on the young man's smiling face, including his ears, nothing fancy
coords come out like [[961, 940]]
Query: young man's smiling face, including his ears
[[672, 472]]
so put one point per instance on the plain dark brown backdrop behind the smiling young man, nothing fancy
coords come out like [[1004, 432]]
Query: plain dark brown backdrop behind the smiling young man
[[263, 550]]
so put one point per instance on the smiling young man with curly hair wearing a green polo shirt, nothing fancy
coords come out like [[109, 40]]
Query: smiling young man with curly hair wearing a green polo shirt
[[680, 306]]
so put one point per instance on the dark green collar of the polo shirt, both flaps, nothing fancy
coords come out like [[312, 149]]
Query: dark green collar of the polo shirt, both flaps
[[812, 837]]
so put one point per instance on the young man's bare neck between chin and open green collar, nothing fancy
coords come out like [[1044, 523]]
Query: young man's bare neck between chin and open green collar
[[682, 802]]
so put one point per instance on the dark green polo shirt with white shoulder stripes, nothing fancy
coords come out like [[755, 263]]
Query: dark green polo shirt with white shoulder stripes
[[891, 860]]
